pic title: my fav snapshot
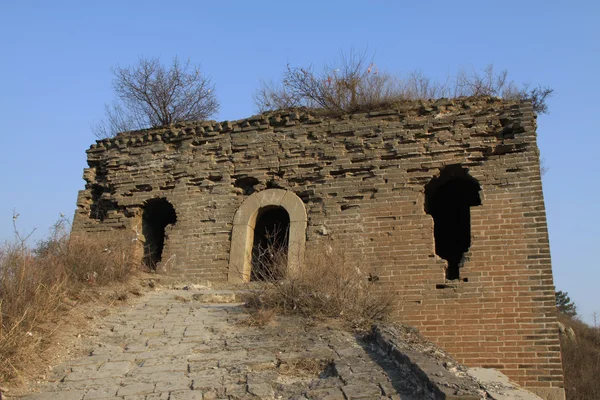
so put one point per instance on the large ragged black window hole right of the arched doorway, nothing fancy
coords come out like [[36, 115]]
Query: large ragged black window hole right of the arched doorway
[[448, 199]]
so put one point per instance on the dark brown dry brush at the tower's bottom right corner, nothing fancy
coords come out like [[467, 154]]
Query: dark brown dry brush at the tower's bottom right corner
[[581, 360]]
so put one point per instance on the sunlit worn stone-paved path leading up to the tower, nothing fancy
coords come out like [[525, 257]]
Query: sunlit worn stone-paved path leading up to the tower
[[164, 348]]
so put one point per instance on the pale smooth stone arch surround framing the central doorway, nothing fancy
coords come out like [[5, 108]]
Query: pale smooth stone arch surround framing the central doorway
[[244, 223]]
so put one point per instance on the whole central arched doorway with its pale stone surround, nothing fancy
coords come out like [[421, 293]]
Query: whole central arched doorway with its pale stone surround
[[268, 236]]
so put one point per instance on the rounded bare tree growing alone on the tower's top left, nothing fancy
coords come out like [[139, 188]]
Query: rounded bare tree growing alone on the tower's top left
[[150, 95]]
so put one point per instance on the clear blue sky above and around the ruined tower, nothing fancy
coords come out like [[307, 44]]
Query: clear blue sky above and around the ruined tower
[[55, 60]]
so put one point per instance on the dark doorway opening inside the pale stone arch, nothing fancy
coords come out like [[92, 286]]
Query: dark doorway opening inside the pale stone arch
[[270, 245]]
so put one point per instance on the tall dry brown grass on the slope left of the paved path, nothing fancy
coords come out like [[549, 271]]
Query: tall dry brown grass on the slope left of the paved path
[[39, 285]]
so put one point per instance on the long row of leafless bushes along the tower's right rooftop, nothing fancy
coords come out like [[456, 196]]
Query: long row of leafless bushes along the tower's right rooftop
[[355, 84]]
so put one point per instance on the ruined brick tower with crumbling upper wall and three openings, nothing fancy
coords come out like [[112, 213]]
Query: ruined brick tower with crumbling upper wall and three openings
[[443, 197]]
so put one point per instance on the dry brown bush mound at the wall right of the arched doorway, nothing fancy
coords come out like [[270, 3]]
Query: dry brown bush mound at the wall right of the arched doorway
[[328, 285]]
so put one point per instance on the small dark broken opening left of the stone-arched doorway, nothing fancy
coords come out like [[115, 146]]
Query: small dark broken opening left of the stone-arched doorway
[[158, 214]]
